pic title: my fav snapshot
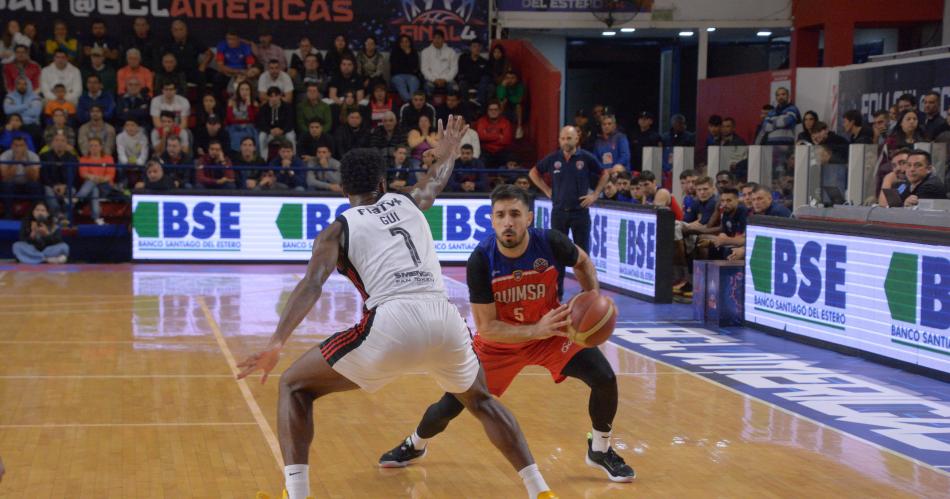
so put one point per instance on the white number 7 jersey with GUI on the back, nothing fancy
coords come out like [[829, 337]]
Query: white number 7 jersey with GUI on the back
[[388, 251]]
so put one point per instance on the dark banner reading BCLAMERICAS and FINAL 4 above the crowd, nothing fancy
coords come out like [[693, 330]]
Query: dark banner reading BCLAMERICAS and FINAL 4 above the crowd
[[287, 20]]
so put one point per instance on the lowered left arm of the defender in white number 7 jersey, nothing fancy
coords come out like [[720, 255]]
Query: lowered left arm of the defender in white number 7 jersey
[[326, 251]]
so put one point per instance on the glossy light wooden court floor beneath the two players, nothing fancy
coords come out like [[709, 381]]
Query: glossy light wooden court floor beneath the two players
[[118, 382]]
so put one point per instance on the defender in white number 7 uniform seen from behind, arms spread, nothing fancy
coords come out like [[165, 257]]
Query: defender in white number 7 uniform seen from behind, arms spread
[[384, 246]]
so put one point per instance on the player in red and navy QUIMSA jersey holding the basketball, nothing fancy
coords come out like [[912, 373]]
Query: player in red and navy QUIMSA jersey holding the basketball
[[513, 281]]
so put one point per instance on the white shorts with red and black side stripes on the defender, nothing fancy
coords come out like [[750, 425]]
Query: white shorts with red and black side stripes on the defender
[[402, 336]]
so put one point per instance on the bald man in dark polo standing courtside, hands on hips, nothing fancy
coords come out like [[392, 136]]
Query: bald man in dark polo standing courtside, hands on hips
[[573, 172]]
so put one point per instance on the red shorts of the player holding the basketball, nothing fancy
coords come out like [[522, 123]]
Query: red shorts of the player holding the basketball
[[503, 361]]
